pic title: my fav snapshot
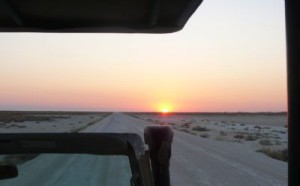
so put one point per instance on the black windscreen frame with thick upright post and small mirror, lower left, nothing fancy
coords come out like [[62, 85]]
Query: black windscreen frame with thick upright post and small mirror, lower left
[[128, 144]]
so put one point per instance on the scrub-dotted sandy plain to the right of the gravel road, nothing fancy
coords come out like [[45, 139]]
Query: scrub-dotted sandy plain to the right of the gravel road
[[254, 131]]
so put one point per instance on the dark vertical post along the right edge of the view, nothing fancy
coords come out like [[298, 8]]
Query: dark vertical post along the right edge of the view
[[292, 13]]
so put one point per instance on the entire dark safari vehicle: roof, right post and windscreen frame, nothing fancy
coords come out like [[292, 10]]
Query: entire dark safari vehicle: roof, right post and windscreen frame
[[128, 16]]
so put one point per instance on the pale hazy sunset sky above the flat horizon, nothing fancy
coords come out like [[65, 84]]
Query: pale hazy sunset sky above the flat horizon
[[229, 57]]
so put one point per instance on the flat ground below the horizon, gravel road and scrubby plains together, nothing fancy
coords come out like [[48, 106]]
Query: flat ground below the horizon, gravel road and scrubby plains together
[[207, 149]]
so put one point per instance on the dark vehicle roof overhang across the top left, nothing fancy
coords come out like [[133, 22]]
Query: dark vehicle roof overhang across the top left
[[108, 16]]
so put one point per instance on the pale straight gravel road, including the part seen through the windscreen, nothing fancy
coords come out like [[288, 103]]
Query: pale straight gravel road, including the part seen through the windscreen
[[195, 161]]
